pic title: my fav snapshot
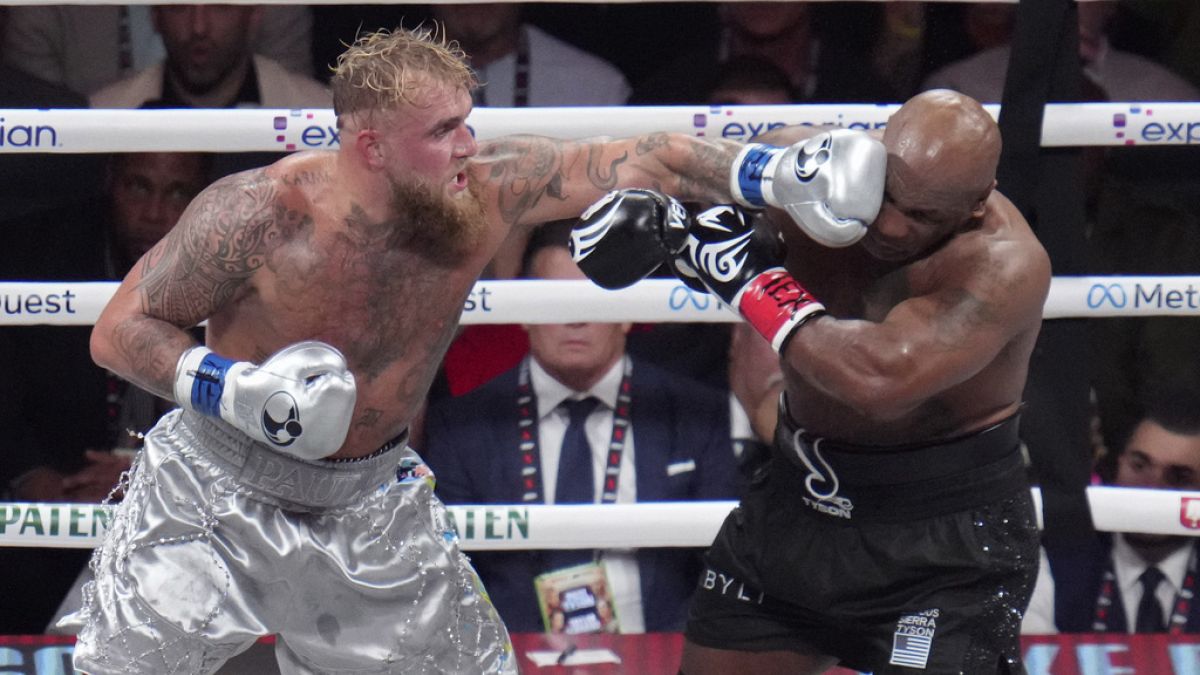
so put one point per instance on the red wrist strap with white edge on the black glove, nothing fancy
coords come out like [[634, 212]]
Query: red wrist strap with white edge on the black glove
[[776, 306]]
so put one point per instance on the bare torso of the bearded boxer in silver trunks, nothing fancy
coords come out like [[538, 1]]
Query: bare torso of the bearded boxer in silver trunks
[[389, 310]]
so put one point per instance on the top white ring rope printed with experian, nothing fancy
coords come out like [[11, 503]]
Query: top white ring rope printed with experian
[[278, 130]]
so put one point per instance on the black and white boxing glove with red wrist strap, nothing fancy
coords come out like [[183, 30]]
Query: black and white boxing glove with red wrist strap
[[743, 267]]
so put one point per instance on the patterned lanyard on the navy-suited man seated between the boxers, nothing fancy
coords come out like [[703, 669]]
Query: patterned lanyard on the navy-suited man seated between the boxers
[[529, 445]]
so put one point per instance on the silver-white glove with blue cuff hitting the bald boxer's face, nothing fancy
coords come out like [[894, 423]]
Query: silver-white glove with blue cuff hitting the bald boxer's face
[[832, 184]]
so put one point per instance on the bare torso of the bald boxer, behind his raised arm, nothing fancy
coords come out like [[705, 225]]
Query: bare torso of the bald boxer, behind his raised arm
[[854, 285]]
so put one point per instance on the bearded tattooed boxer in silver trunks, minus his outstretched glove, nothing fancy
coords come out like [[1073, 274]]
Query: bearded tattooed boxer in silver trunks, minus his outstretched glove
[[332, 283]]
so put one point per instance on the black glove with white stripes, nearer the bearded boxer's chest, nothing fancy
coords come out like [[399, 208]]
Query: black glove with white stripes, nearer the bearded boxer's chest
[[628, 235]]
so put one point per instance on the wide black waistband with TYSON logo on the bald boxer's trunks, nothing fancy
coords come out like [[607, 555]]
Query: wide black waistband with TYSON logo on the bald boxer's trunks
[[893, 483]]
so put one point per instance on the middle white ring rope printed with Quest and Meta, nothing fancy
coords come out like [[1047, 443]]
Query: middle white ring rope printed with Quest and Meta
[[655, 301]]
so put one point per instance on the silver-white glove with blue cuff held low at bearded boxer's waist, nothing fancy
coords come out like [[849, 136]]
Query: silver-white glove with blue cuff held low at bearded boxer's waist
[[301, 401]]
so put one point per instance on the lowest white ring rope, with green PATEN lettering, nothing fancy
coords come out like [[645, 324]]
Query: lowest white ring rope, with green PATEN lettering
[[605, 527]]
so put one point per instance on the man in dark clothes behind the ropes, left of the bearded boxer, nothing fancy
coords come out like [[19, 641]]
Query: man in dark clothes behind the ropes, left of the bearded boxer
[[64, 417]]
